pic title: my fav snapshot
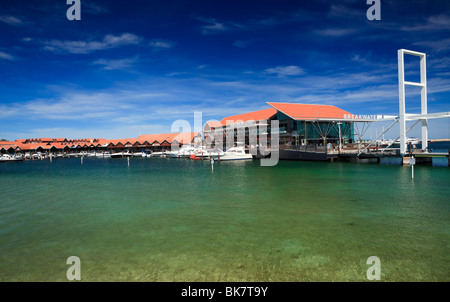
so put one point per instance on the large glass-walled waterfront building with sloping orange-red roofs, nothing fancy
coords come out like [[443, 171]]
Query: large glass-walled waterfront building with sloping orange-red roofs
[[299, 125]]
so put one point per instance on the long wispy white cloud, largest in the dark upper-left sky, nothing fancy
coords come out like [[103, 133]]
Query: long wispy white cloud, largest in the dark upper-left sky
[[83, 47]]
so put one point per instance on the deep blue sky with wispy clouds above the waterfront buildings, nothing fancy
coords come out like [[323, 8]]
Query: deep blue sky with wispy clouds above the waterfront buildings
[[134, 67]]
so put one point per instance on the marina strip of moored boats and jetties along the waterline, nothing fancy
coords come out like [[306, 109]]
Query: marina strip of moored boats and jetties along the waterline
[[331, 152]]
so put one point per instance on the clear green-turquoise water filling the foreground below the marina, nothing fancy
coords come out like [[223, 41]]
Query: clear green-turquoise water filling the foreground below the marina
[[181, 220]]
